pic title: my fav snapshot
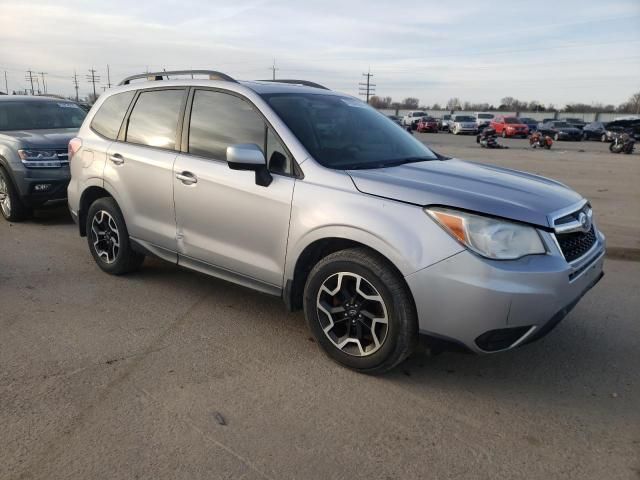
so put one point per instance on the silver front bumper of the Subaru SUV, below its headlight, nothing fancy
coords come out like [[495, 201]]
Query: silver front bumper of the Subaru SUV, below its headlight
[[487, 305]]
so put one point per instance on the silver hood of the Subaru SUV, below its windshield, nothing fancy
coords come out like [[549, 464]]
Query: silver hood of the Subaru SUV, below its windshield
[[481, 188]]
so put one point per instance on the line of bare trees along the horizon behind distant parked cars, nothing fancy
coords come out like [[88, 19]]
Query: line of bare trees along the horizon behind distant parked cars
[[632, 105]]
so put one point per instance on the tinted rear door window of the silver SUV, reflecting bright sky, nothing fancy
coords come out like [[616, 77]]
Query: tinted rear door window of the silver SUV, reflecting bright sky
[[154, 119]]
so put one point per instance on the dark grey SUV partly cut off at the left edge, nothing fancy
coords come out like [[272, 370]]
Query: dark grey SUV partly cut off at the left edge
[[34, 166]]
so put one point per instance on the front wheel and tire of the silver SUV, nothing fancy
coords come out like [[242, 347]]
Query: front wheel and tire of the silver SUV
[[347, 342]]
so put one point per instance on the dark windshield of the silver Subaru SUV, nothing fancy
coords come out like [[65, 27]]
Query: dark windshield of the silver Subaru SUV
[[345, 133]]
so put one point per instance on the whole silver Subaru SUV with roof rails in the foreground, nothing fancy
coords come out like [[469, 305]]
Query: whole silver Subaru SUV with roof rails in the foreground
[[304, 193]]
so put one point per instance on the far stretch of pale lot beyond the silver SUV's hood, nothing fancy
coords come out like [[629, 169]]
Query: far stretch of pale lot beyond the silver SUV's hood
[[611, 182]]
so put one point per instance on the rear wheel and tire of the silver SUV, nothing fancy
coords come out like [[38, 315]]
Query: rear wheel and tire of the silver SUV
[[105, 217]]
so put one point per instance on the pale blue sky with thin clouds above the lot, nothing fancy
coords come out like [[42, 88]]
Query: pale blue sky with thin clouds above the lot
[[555, 52]]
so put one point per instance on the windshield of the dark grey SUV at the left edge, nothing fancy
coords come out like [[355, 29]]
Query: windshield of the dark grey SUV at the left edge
[[40, 115]]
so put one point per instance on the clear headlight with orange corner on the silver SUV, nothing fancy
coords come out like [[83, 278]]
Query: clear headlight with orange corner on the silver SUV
[[490, 237]]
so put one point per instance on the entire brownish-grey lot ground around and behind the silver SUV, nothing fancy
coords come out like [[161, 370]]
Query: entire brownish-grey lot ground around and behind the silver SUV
[[170, 374]]
